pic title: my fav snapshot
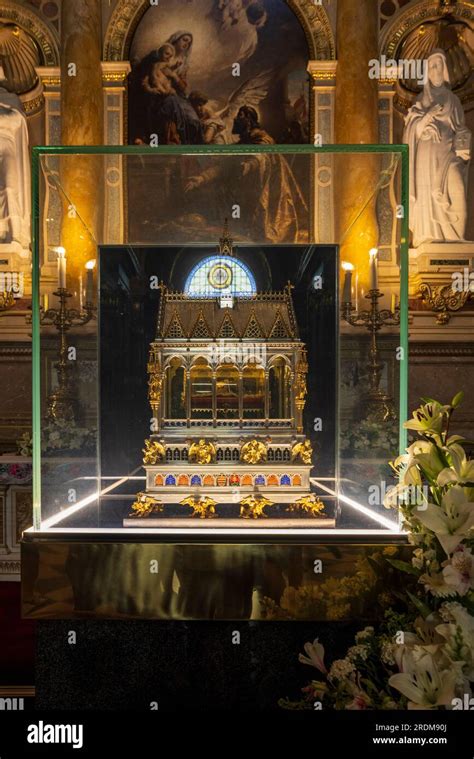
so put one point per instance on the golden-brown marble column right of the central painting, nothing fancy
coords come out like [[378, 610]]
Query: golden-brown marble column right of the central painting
[[356, 122]]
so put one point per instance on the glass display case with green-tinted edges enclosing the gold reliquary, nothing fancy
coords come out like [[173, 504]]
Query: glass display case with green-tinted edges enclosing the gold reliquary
[[219, 339]]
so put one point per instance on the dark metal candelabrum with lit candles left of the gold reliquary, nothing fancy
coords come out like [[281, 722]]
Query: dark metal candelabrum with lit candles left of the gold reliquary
[[61, 402]]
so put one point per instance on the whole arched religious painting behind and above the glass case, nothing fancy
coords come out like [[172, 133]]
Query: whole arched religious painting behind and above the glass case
[[219, 72]]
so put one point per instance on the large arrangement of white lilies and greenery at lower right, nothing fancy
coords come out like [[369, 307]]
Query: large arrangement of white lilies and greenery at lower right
[[421, 656]]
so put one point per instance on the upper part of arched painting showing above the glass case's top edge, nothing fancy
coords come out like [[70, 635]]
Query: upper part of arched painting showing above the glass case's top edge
[[195, 64]]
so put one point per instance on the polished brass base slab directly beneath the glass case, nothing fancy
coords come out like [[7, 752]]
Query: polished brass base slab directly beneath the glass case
[[253, 578]]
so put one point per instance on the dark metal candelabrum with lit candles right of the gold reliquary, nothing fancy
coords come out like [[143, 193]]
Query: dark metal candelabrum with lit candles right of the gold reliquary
[[380, 405]]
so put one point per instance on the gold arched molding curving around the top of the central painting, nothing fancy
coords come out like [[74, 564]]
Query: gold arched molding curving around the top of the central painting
[[128, 14]]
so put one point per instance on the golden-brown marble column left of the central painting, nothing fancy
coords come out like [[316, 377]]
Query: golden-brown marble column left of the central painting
[[82, 123]]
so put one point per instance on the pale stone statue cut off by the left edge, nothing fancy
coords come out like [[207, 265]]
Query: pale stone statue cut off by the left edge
[[14, 169]]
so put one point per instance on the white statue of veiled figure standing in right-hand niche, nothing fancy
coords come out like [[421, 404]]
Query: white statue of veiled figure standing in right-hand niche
[[439, 142]]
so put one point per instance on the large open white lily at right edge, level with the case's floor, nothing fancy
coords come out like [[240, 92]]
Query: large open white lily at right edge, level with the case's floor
[[452, 521]]
